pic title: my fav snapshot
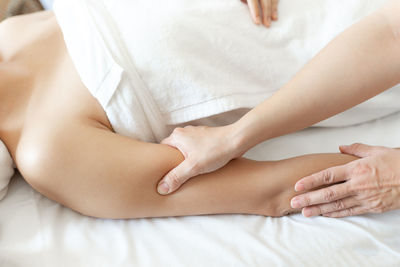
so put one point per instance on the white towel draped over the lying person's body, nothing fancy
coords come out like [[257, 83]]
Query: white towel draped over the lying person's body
[[156, 63]]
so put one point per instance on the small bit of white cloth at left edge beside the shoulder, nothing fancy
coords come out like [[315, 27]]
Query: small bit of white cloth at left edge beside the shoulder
[[6, 169]]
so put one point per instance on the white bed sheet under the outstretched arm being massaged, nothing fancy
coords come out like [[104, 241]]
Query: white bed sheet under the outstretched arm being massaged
[[35, 231]]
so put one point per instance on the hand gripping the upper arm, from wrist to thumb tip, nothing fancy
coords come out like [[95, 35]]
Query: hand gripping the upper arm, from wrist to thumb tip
[[205, 149]]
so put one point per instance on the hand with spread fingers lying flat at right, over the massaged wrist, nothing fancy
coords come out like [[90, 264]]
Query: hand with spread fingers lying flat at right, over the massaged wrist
[[367, 185]]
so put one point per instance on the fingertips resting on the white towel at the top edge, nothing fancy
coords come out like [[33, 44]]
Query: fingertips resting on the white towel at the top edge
[[263, 11]]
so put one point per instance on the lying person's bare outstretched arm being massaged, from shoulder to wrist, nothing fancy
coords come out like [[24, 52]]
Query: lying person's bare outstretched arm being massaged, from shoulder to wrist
[[102, 174]]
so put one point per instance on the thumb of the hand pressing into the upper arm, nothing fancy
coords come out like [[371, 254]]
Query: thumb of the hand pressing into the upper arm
[[175, 178]]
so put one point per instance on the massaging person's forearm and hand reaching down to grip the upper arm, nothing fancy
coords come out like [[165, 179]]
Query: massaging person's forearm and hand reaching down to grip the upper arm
[[358, 64]]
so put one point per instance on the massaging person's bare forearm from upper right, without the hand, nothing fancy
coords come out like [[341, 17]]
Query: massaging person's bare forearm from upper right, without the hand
[[357, 65]]
